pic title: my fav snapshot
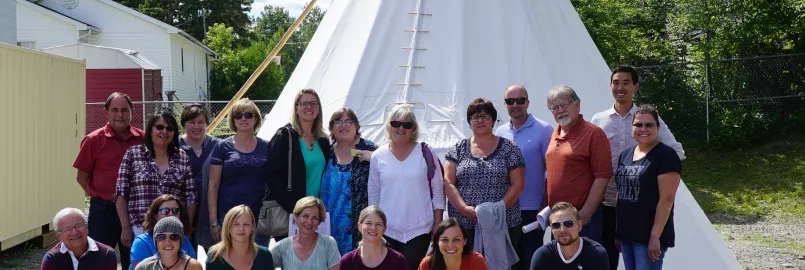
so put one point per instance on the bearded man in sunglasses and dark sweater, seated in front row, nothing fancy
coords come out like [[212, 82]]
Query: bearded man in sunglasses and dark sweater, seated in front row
[[568, 250]]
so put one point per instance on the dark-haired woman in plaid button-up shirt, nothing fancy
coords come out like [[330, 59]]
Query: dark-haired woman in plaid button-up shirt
[[155, 167]]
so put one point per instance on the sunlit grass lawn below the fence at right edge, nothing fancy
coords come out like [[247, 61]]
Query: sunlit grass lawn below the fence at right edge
[[765, 180]]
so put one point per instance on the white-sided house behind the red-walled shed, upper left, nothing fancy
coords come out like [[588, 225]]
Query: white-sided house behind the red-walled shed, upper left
[[183, 59]]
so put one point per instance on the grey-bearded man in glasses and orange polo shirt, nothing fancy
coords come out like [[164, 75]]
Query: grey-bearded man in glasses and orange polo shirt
[[578, 161]]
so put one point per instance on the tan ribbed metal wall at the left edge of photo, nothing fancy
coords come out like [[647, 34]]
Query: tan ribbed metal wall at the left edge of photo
[[42, 112]]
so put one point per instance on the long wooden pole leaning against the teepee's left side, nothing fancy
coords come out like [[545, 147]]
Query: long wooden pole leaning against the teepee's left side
[[261, 68]]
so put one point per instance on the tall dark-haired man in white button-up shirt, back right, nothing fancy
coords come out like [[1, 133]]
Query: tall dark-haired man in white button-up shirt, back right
[[617, 124]]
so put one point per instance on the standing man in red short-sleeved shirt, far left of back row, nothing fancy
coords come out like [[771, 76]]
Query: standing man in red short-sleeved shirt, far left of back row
[[98, 162]]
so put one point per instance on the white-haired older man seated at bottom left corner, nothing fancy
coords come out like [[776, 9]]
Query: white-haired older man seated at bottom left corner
[[75, 249]]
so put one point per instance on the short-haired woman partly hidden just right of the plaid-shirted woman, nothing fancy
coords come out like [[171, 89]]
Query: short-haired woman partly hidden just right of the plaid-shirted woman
[[198, 145]]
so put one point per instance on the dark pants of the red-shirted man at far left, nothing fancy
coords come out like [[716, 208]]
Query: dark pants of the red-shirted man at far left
[[104, 227]]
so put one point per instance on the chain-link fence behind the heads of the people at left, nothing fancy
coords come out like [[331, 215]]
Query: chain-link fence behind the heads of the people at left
[[96, 116]]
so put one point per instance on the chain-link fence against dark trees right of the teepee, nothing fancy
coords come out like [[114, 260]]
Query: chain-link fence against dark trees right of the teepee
[[728, 102]]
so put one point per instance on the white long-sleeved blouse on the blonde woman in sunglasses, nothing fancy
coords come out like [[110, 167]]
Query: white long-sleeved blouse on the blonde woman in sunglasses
[[401, 189]]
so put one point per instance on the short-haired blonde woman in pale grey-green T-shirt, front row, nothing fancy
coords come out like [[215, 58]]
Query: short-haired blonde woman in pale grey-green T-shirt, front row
[[308, 249]]
